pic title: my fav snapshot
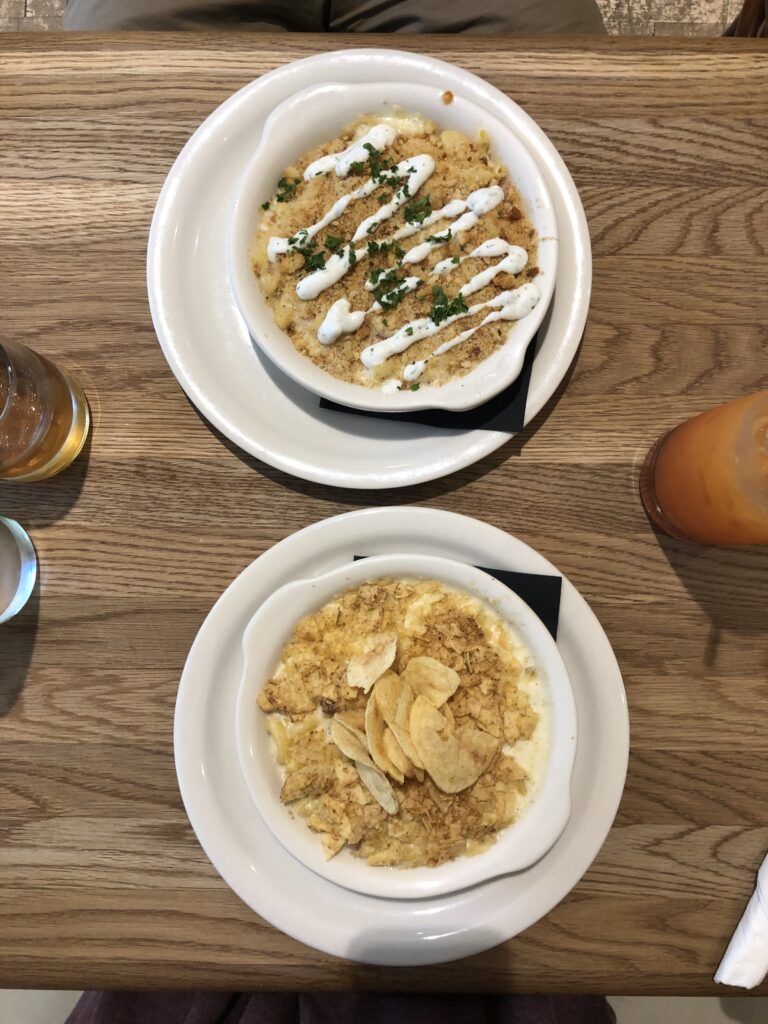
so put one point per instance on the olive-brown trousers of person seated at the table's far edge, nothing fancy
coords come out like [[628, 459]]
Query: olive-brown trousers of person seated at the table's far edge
[[511, 17]]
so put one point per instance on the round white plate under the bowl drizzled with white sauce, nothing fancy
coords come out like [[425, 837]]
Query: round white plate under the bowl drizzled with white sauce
[[207, 344]]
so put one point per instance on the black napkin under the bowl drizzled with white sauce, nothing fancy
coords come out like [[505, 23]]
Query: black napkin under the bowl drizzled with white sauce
[[506, 412]]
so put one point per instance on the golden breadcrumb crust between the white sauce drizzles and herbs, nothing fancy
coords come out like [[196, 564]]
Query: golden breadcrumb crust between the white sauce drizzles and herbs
[[462, 165]]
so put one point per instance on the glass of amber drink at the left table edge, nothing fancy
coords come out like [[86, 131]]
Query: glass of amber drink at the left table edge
[[45, 416]]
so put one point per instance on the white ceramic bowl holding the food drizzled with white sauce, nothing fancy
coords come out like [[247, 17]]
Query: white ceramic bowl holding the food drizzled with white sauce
[[318, 114]]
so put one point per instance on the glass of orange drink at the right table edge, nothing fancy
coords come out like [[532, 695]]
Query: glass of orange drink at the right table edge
[[707, 481]]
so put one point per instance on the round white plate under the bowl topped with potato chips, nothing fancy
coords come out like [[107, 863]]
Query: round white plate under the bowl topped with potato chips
[[291, 898]]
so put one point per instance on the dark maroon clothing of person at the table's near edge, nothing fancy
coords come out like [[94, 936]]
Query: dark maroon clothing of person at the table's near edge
[[336, 1008]]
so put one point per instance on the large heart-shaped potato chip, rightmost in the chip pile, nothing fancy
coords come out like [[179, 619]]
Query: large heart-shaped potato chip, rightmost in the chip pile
[[454, 758]]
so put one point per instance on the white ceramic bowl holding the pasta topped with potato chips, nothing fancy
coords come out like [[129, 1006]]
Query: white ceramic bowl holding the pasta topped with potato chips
[[518, 847]]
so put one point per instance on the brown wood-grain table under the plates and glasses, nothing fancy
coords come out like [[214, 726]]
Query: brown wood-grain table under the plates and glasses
[[104, 883]]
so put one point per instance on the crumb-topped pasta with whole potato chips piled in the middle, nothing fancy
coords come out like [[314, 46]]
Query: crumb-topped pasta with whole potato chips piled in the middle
[[411, 769]]
